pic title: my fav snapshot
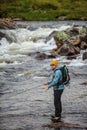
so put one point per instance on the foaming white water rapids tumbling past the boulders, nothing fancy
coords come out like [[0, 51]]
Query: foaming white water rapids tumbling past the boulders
[[24, 42]]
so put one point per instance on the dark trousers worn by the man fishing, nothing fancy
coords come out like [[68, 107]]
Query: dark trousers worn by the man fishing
[[57, 102]]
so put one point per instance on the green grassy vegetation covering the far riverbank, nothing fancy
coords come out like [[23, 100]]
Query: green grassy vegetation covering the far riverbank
[[44, 9]]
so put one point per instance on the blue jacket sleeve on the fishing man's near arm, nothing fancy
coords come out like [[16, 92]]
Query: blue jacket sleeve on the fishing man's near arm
[[55, 79]]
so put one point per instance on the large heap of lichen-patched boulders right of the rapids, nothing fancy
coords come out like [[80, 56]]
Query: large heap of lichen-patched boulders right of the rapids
[[70, 41]]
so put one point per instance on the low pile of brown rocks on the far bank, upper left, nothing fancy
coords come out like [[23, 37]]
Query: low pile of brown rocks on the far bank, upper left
[[7, 23]]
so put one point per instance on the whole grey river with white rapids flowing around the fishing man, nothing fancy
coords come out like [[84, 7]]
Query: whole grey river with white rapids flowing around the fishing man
[[24, 105]]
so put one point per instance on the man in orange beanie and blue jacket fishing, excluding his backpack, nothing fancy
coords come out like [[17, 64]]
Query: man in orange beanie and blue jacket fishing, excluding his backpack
[[58, 89]]
